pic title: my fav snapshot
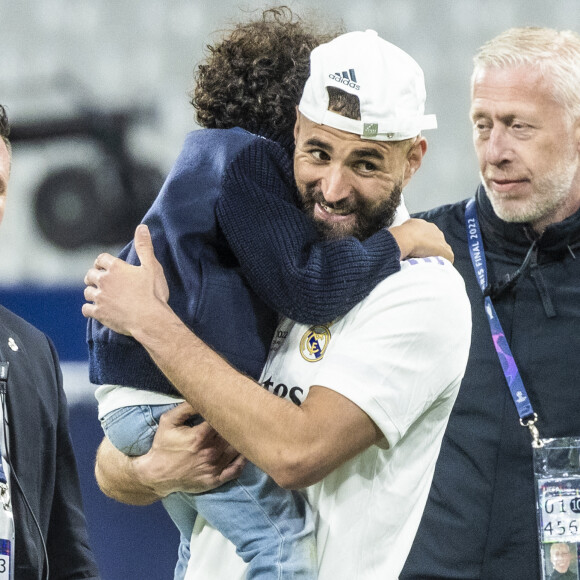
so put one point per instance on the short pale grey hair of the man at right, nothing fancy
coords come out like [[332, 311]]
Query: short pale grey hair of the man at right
[[556, 54]]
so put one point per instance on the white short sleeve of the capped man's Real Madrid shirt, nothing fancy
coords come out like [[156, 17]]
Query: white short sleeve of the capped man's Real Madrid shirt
[[404, 348]]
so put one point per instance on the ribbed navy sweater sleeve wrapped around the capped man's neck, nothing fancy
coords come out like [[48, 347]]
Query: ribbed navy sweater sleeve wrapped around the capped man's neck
[[293, 271]]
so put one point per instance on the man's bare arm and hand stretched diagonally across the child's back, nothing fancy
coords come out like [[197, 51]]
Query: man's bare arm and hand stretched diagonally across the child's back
[[296, 445]]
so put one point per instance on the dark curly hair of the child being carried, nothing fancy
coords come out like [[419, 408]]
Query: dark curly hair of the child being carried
[[253, 78]]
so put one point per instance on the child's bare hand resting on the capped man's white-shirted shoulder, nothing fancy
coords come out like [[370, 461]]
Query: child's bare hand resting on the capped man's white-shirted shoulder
[[418, 238]]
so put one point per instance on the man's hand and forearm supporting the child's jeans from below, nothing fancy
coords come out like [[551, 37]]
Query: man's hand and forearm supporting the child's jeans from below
[[182, 458]]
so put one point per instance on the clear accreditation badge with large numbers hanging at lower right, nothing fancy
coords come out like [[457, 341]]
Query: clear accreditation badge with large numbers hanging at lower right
[[557, 478]]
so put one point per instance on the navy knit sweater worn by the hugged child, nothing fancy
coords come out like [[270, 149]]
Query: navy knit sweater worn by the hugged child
[[236, 251]]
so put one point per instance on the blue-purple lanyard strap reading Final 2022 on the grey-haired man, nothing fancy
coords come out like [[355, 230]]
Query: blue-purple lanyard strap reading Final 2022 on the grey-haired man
[[506, 359]]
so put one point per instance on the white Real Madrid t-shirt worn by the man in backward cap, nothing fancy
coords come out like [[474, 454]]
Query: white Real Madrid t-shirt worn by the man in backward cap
[[400, 356]]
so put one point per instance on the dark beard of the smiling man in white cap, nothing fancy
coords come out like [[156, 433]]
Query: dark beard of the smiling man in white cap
[[369, 220]]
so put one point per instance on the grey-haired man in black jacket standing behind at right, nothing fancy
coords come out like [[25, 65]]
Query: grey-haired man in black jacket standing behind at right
[[480, 519]]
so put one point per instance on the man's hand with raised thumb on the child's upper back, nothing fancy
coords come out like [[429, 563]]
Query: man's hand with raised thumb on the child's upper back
[[118, 294]]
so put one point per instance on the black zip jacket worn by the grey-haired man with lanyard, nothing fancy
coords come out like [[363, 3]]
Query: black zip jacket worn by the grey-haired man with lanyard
[[480, 520]]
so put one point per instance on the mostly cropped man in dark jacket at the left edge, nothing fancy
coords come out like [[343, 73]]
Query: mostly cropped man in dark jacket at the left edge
[[50, 529]]
